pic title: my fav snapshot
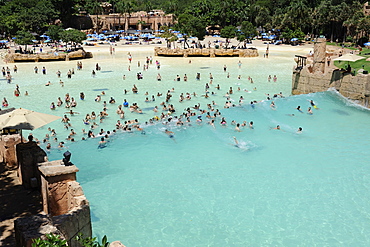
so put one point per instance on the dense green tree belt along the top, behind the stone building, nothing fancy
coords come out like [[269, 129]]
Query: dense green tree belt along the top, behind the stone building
[[332, 18]]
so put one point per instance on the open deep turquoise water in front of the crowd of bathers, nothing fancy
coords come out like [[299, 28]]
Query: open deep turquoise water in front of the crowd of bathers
[[279, 189]]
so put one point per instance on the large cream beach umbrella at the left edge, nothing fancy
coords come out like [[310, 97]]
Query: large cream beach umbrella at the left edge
[[24, 119]]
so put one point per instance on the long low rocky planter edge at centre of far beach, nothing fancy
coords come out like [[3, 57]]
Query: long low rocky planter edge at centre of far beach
[[207, 52]]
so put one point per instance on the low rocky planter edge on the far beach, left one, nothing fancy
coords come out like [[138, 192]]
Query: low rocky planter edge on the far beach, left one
[[63, 56]]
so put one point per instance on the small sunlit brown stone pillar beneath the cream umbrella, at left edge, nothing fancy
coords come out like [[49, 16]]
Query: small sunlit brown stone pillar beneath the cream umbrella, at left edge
[[7, 149]]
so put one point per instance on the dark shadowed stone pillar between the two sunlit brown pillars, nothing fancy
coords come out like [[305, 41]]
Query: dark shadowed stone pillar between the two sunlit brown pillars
[[29, 154]]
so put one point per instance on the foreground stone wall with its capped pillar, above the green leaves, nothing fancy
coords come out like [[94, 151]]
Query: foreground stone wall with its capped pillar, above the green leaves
[[66, 209]]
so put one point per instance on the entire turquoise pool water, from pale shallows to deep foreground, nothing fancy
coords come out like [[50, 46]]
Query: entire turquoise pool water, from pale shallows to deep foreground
[[277, 188]]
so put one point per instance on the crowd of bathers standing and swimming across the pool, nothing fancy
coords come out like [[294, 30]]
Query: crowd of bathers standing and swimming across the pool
[[165, 113]]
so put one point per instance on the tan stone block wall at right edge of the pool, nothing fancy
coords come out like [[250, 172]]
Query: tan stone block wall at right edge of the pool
[[356, 88]]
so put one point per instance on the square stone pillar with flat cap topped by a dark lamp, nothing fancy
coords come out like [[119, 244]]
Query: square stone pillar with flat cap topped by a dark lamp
[[55, 178]]
